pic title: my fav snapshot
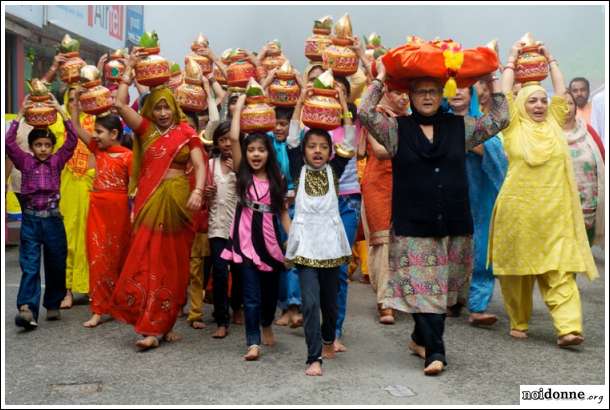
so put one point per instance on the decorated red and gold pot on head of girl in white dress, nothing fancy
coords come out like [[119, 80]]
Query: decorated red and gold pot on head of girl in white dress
[[322, 110]]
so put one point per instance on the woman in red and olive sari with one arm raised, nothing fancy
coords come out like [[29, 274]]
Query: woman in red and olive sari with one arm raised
[[154, 279]]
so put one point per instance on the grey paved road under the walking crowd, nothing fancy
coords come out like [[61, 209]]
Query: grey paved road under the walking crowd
[[64, 363]]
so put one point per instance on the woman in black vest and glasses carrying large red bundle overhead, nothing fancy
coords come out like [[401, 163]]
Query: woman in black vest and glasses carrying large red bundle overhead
[[431, 239]]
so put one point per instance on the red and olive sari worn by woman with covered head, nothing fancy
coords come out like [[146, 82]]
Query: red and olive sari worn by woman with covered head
[[152, 287]]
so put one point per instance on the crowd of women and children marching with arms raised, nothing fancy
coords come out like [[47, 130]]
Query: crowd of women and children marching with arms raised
[[143, 207]]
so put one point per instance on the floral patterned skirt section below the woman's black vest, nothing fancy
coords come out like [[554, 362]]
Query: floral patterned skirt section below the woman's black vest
[[428, 274]]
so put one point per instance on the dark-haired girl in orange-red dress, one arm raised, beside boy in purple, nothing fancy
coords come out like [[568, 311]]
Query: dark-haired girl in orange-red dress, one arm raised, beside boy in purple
[[108, 225]]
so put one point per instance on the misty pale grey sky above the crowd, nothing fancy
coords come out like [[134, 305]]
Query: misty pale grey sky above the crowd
[[575, 35]]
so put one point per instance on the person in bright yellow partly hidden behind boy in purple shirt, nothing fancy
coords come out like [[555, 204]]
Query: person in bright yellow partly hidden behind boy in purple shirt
[[76, 182]]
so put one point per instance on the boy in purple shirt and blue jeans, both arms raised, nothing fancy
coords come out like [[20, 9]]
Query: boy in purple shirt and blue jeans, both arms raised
[[42, 223]]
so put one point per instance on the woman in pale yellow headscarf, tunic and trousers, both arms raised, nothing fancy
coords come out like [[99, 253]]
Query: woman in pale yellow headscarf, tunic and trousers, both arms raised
[[537, 232]]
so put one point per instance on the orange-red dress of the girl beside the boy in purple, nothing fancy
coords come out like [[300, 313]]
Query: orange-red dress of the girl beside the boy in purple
[[108, 226]]
